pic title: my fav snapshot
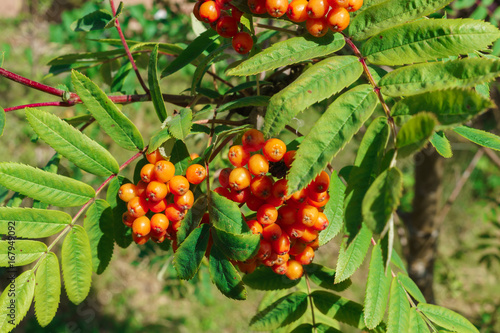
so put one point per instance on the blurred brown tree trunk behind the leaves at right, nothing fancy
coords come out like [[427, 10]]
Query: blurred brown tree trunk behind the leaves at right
[[422, 224]]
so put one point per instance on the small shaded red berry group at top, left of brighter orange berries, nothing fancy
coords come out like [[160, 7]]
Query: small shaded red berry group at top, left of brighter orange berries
[[216, 13]]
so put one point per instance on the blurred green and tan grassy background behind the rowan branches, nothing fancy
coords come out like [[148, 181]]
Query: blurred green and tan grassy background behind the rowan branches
[[139, 291]]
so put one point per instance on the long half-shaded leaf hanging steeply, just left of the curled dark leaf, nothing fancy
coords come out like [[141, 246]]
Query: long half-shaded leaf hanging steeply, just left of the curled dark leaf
[[365, 170]]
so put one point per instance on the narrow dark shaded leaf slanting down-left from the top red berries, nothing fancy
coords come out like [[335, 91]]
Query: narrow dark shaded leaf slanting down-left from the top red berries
[[190, 53]]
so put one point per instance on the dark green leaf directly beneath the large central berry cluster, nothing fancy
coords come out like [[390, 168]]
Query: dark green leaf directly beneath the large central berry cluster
[[263, 278]]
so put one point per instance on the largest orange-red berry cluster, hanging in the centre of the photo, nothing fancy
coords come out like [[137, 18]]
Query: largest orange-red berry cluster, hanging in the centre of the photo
[[288, 223]]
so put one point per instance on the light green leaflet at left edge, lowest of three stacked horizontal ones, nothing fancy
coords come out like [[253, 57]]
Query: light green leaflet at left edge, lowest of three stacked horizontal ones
[[20, 252]]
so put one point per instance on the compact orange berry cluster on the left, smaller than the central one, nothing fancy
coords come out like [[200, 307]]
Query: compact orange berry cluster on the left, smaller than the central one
[[157, 204]]
